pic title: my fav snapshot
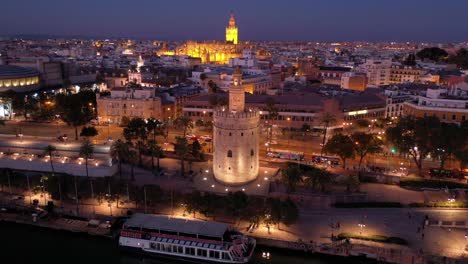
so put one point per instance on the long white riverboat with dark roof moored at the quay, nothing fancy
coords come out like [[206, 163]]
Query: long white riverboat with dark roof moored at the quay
[[191, 240]]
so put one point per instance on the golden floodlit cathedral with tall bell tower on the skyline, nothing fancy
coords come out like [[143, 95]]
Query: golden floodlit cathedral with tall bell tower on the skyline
[[215, 52]]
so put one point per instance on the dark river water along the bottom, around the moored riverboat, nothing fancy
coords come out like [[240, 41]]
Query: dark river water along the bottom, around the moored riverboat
[[28, 244]]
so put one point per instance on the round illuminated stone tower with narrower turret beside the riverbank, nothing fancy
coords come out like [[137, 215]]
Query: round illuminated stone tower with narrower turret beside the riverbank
[[235, 138]]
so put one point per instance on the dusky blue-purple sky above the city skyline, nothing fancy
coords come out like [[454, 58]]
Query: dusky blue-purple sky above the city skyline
[[314, 20]]
